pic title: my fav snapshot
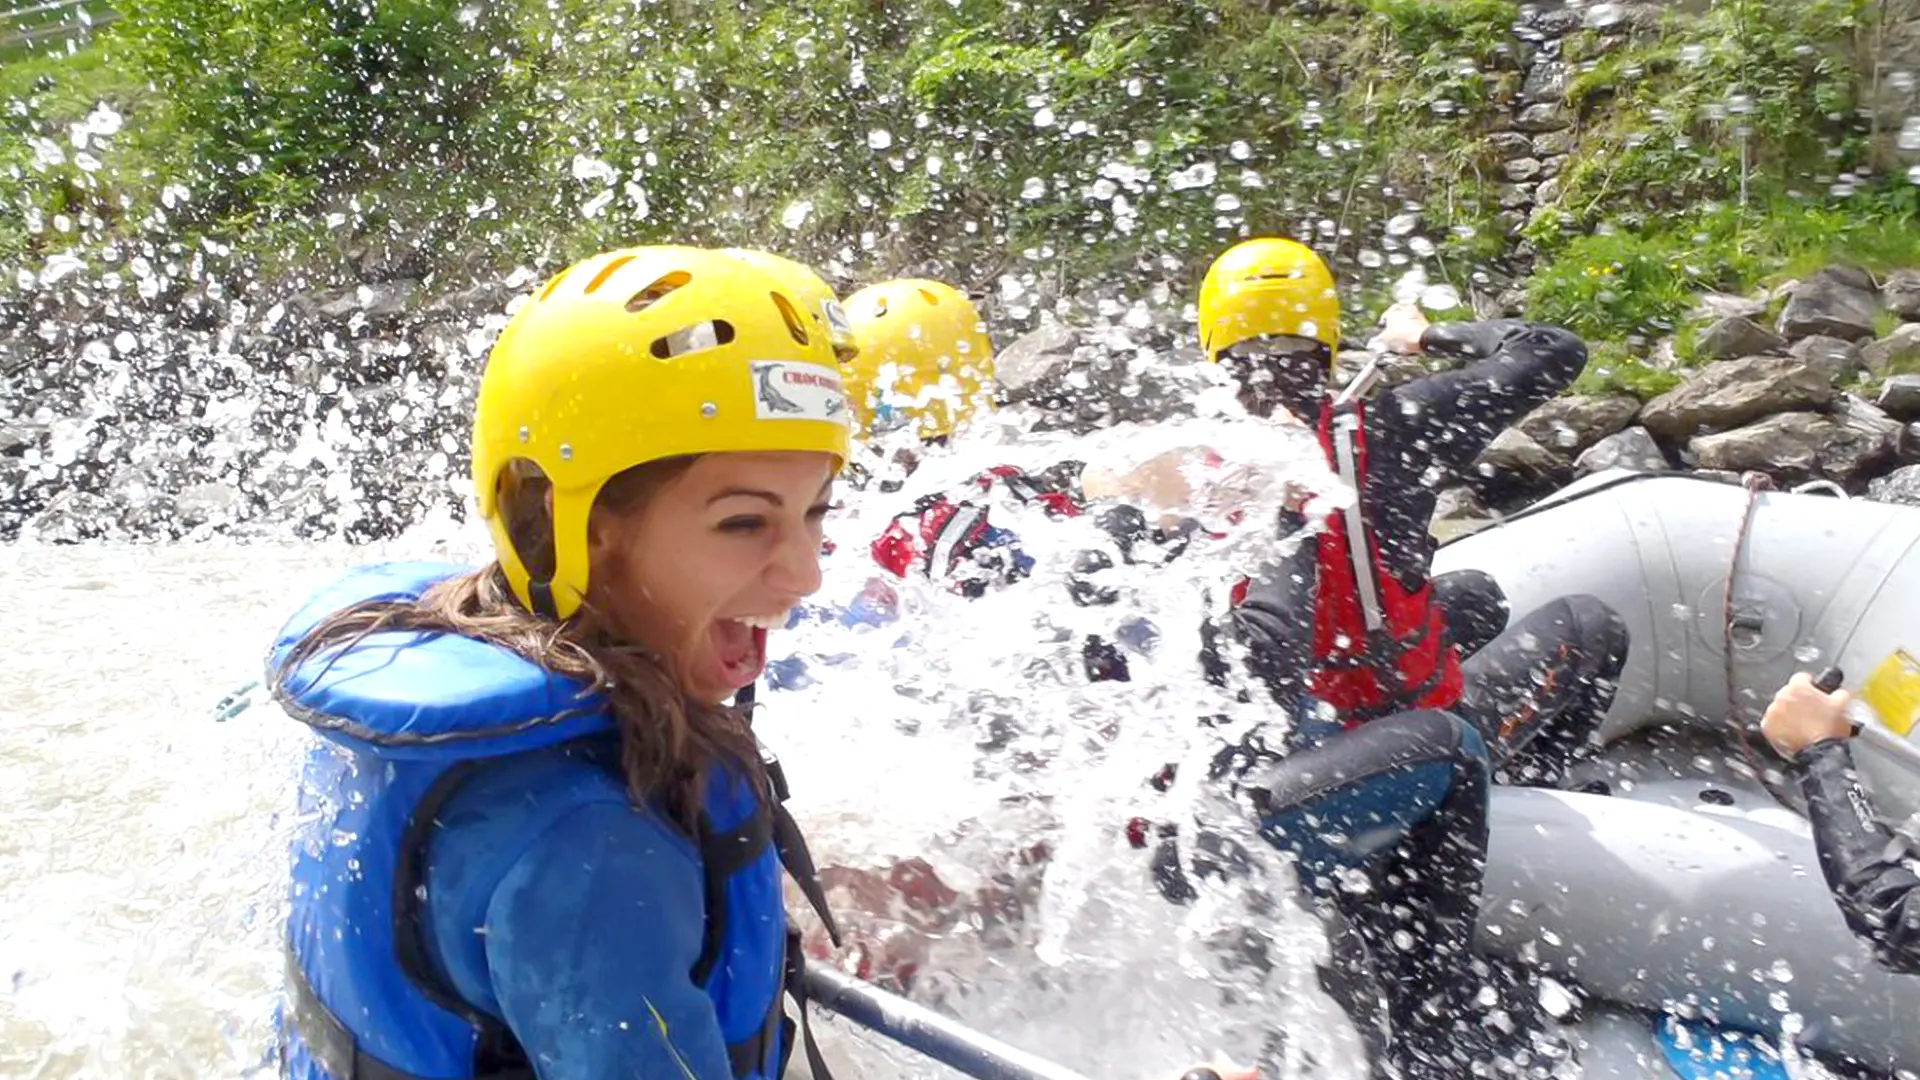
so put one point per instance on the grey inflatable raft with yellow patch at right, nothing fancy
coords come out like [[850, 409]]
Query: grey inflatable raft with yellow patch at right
[[1692, 891]]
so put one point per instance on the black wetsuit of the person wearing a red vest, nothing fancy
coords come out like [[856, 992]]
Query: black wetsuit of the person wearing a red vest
[[1403, 798]]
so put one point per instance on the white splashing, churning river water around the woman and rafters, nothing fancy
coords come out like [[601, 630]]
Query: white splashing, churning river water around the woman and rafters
[[143, 864]]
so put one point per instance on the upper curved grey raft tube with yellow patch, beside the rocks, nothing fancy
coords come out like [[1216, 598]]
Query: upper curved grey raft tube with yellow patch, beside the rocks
[[1815, 581]]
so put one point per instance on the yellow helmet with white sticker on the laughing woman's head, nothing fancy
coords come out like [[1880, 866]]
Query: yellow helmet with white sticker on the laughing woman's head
[[635, 356]]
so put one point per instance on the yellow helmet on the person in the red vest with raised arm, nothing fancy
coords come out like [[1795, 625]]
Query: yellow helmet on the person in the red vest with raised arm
[[1268, 289]]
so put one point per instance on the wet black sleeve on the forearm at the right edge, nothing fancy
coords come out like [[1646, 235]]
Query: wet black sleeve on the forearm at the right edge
[[1863, 862]]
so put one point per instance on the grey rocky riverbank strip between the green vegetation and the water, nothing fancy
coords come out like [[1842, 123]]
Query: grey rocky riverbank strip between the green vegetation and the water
[[345, 414]]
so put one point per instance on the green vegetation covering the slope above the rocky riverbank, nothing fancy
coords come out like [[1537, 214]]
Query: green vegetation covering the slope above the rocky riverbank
[[965, 137]]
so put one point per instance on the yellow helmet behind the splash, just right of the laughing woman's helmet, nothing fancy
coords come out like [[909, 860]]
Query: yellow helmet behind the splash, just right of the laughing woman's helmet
[[924, 356]]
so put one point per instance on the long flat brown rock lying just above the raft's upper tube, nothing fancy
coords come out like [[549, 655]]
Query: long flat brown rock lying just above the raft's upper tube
[[1802, 447]]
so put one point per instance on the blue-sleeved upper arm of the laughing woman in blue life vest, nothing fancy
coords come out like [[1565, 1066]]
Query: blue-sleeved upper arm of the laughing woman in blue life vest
[[587, 941]]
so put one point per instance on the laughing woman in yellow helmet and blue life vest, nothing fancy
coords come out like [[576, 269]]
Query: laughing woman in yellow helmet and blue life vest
[[539, 839]]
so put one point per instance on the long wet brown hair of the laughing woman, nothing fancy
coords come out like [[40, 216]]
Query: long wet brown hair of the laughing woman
[[669, 741]]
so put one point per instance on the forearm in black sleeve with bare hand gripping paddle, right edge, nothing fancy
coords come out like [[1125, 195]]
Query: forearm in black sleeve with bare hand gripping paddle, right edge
[[1865, 866]]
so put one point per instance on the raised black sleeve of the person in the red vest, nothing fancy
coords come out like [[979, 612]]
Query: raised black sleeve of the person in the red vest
[[1514, 368]]
